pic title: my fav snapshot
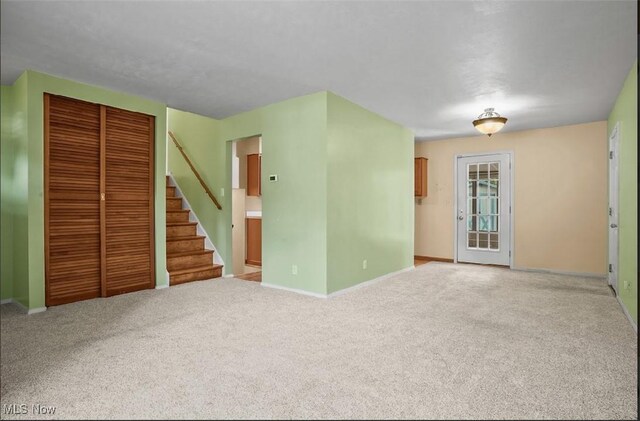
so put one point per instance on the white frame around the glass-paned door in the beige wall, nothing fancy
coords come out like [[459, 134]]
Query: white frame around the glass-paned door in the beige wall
[[511, 199]]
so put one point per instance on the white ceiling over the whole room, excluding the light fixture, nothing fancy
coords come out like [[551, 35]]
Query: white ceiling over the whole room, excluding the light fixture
[[430, 66]]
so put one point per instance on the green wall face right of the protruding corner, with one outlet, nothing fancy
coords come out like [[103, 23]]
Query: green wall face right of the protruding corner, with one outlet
[[370, 202]]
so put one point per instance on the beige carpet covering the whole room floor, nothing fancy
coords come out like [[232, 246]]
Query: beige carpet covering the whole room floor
[[441, 341]]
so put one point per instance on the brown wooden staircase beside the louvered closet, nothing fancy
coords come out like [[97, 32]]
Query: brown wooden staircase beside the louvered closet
[[187, 259]]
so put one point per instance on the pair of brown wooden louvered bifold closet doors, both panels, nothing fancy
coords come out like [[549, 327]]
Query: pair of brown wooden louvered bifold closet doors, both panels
[[99, 215]]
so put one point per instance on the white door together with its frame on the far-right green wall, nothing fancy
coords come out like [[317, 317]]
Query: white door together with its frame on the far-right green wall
[[613, 204]]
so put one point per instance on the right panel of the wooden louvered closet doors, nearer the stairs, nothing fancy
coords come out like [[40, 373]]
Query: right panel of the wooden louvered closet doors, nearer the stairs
[[129, 201]]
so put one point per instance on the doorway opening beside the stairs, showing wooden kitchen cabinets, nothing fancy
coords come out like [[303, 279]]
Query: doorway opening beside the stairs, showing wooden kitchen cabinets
[[246, 208]]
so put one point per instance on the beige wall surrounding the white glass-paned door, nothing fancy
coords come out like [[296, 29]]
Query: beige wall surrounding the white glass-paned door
[[559, 202]]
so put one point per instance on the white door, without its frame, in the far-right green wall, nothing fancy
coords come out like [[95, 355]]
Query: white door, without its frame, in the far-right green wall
[[613, 209]]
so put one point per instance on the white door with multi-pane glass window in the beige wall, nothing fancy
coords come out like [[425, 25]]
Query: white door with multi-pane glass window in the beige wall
[[483, 209]]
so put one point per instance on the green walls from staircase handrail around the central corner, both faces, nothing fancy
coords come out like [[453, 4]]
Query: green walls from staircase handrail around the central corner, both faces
[[344, 191]]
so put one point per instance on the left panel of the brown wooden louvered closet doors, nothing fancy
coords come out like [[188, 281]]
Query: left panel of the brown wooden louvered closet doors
[[72, 200]]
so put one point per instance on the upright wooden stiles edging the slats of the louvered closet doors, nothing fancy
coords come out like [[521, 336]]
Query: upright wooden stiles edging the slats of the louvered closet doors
[[103, 178]]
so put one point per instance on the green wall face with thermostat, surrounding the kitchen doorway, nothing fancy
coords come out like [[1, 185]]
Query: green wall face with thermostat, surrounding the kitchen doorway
[[294, 211]]
